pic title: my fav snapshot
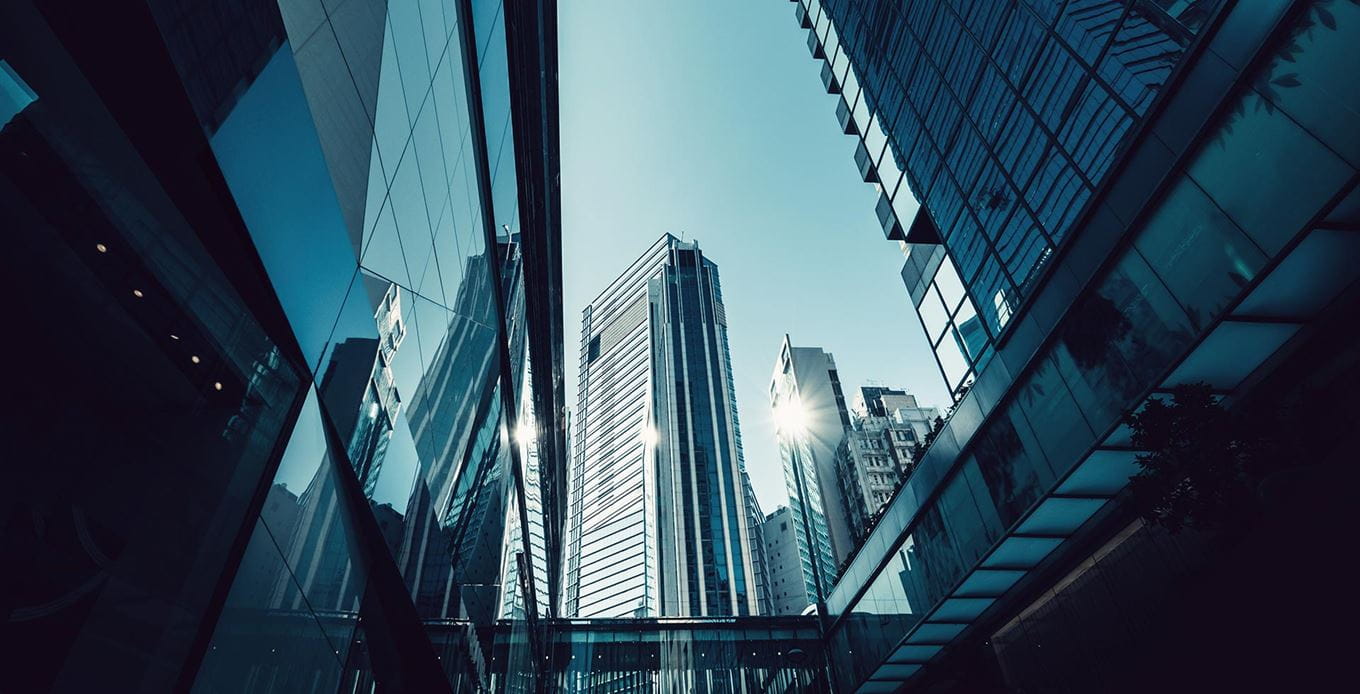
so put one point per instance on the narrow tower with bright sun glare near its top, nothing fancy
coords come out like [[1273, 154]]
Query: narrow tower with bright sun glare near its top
[[810, 413]]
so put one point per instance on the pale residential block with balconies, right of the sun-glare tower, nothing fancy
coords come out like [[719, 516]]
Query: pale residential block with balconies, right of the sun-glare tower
[[878, 451]]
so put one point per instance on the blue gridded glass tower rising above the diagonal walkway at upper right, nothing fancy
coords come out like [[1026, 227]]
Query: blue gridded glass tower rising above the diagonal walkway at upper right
[[999, 120]]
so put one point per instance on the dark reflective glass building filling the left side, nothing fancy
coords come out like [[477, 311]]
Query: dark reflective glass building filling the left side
[[289, 284]]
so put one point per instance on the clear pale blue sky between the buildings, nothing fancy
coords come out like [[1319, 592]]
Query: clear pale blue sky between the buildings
[[709, 119]]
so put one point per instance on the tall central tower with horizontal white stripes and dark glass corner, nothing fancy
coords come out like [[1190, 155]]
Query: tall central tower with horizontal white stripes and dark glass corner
[[660, 522]]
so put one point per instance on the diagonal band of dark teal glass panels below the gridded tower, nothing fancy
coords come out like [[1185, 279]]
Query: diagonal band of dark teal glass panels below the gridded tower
[[1199, 248]]
